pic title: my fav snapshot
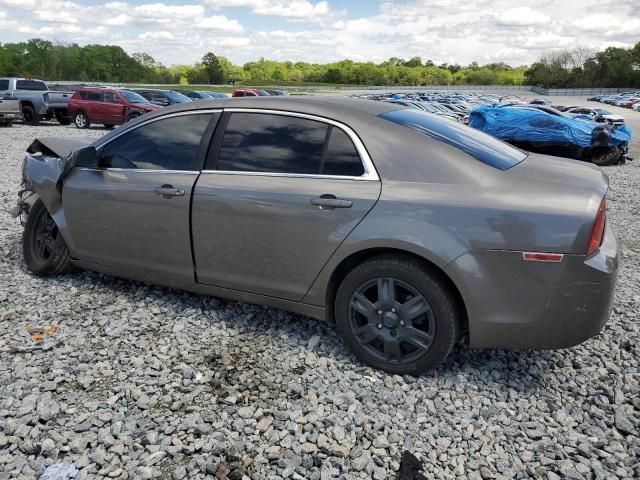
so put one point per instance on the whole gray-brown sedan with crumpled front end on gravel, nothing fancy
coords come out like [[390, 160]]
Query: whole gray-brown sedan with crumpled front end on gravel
[[407, 230]]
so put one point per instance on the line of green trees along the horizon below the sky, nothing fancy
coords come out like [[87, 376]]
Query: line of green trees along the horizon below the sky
[[109, 63]]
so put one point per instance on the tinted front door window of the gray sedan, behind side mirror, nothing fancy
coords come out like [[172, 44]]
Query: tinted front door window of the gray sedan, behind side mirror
[[169, 144]]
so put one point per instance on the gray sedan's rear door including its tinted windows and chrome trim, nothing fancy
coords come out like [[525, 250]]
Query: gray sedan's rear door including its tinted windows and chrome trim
[[280, 192]]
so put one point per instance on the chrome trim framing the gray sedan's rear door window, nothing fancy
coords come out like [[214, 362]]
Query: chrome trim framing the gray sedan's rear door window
[[370, 172]]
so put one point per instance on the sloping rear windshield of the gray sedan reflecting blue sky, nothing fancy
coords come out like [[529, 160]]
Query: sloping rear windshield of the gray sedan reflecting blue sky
[[477, 144]]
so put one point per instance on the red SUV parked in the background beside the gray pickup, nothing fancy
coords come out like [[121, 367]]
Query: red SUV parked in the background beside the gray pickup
[[107, 106]]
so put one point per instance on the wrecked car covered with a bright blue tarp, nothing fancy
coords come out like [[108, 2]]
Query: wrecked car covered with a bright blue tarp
[[557, 134]]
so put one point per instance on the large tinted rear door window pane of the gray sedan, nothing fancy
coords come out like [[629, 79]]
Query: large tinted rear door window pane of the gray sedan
[[257, 142]]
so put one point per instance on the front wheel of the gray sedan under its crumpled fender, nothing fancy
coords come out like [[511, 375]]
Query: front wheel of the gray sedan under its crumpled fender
[[44, 249]]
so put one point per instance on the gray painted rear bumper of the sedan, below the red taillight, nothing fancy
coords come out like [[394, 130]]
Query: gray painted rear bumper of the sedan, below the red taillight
[[529, 305]]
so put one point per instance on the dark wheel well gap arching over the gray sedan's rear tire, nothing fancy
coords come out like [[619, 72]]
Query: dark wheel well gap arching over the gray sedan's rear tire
[[357, 258]]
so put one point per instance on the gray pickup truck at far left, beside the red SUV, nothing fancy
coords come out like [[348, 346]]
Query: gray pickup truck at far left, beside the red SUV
[[36, 100]]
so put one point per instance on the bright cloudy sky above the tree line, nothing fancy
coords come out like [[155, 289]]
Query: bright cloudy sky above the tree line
[[451, 31]]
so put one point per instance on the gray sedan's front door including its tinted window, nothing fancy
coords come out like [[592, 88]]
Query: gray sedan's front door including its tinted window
[[131, 211]]
